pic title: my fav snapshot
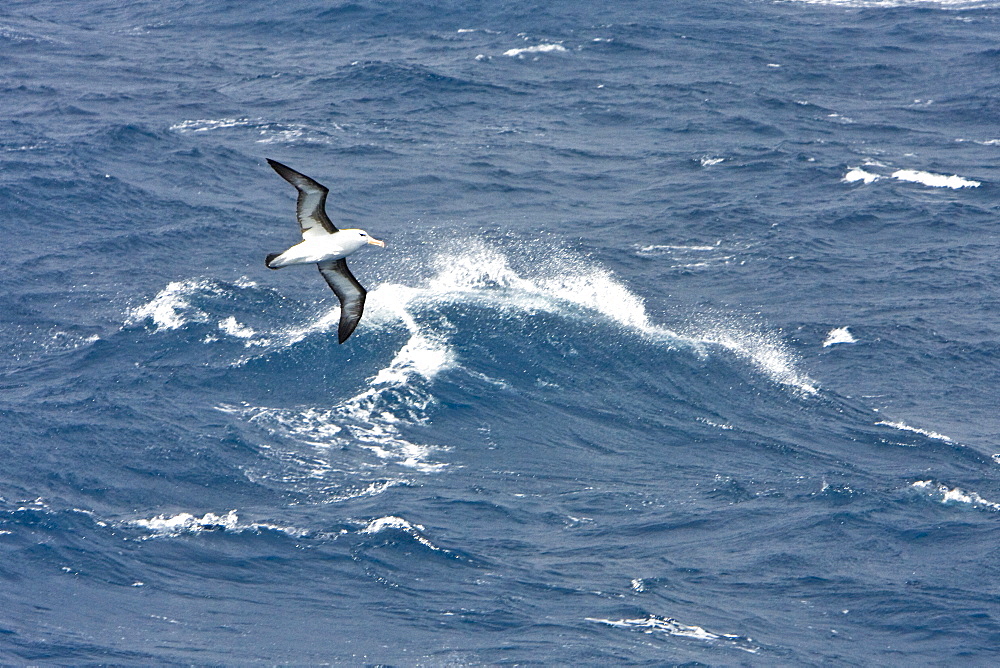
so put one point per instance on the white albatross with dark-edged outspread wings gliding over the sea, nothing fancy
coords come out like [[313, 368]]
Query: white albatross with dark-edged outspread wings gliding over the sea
[[325, 245]]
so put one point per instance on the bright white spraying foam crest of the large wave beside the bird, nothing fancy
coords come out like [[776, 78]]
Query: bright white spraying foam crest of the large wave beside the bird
[[519, 280]]
